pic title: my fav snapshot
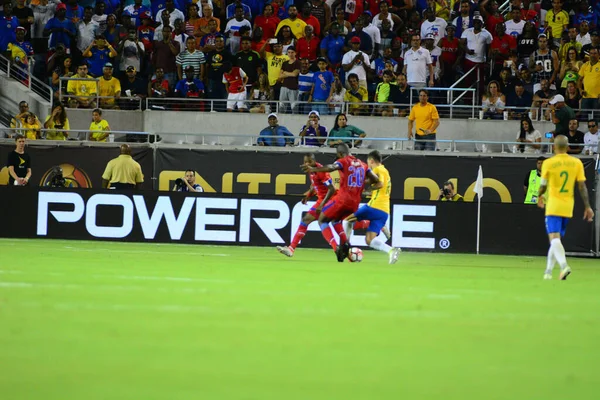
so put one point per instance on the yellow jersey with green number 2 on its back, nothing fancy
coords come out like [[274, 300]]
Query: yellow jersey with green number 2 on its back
[[561, 173]]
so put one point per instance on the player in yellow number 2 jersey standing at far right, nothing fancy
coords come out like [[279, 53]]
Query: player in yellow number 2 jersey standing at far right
[[559, 176]]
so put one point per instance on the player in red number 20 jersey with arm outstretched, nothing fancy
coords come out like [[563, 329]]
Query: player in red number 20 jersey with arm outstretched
[[353, 173]]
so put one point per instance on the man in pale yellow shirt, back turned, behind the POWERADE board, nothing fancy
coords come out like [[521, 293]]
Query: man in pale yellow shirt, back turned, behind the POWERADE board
[[123, 172]]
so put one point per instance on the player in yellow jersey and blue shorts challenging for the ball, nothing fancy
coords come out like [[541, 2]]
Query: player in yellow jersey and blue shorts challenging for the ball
[[378, 209]]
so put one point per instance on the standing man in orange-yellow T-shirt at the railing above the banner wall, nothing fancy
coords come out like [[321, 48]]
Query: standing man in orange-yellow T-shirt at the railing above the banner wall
[[427, 119]]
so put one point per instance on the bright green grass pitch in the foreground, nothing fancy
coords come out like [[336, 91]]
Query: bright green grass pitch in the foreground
[[97, 320]]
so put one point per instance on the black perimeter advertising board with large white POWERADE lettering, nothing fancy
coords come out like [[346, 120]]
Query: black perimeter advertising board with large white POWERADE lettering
[[268, 220]]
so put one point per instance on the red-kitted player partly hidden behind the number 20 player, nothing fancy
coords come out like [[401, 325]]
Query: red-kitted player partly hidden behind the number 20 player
[[321, 186]]
